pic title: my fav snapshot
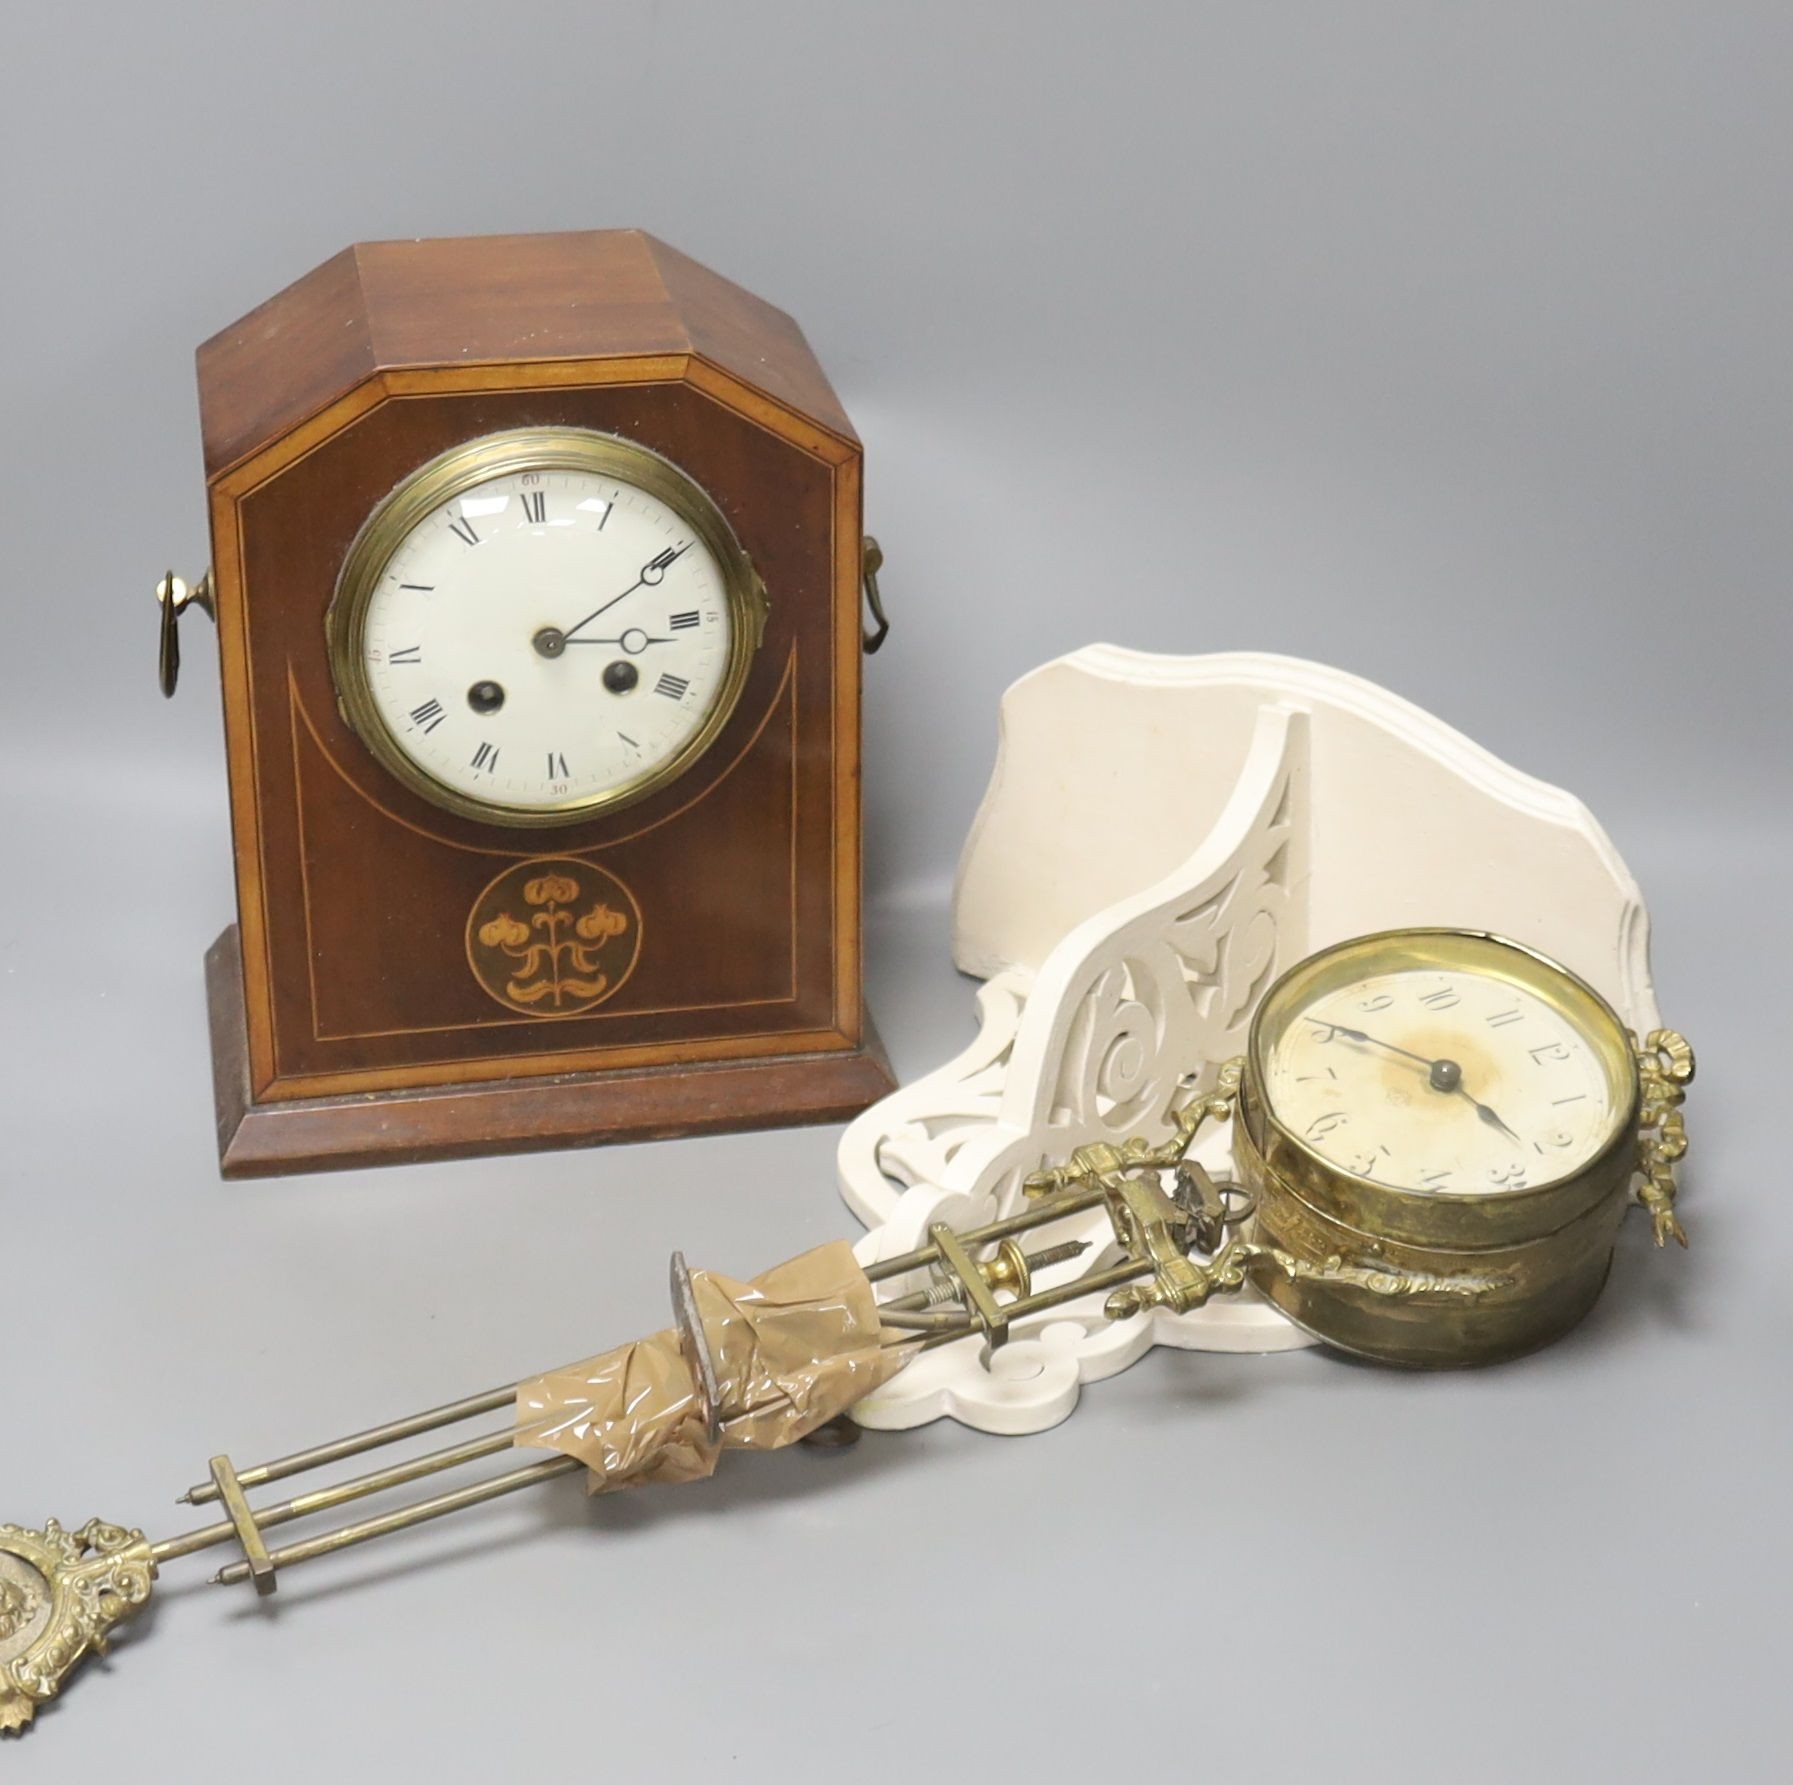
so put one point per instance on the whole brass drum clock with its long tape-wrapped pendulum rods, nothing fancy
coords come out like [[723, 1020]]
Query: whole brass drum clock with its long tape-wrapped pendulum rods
[[1435, 1135]]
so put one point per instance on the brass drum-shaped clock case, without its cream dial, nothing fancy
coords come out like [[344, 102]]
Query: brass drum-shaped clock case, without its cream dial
[[1511, 1270]]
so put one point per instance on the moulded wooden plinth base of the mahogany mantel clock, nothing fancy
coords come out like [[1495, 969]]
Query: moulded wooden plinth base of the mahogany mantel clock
[[519, 1116]]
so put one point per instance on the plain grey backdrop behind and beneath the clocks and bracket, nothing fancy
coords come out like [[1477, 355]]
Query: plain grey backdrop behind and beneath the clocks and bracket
[[1446, 343]]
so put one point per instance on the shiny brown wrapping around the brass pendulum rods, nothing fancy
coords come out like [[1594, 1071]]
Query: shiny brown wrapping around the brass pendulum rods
[[793, 1350]]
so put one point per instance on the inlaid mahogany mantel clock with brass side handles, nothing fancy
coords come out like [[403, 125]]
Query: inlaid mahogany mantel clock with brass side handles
[[537, 573]]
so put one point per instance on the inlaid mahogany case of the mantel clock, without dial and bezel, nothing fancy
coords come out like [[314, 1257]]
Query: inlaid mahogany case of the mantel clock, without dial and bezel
[[354, 1019]]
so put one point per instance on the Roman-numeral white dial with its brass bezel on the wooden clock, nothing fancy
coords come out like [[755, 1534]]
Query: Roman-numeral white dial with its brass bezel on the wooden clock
[[544, 626]]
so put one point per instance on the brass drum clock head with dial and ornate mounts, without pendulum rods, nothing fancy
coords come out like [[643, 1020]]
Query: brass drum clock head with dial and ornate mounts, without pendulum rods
[[1435, 1137]]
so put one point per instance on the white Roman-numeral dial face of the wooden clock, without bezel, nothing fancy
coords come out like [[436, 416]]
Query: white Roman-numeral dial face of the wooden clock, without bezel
[[546, 637]]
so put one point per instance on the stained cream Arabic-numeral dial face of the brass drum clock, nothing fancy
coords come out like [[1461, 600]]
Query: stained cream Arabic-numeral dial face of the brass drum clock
[[1441, 1082]]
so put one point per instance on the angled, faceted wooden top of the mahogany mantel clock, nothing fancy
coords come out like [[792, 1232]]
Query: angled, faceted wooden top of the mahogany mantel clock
[[510, 300]]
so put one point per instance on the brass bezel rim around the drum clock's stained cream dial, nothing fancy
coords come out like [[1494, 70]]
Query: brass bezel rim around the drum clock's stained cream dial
[[1421, 1218]]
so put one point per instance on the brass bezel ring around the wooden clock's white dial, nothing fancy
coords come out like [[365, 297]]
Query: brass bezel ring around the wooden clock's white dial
[[481, 461]]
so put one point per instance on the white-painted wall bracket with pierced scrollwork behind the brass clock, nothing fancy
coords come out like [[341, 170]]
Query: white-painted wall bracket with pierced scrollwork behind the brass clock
[[1159, 841]]
